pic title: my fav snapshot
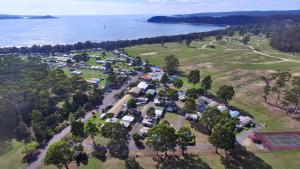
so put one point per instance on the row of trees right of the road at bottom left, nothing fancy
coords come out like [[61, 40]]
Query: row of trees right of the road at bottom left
[[63, 152]]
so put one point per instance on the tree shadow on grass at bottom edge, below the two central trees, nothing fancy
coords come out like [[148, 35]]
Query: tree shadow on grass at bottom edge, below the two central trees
[[175, 162]]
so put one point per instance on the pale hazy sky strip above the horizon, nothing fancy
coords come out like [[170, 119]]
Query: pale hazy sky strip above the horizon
[[140, 7]]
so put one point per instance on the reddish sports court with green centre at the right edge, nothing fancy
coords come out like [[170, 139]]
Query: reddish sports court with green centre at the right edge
[[280, 140]]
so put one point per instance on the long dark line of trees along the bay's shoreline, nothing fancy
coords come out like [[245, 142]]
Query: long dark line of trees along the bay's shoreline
[[108, 45]]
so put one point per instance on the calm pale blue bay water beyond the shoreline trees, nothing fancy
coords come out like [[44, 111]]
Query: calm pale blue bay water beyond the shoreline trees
[[71, 29]]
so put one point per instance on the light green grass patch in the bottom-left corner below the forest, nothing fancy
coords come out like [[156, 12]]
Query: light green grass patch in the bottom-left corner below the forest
[[11, 155]]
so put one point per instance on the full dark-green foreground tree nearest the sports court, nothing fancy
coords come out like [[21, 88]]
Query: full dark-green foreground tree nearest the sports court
[[223, 135]]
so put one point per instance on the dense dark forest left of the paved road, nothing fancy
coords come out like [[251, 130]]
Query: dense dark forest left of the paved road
[[33, 95]]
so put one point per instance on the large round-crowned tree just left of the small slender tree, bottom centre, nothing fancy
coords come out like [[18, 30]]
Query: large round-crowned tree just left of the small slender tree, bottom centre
[[162, 138]]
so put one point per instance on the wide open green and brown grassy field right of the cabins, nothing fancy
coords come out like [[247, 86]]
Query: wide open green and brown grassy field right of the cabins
[[232, 63]]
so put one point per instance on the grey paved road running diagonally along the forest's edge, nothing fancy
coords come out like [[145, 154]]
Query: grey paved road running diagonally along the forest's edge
[[108, 100]]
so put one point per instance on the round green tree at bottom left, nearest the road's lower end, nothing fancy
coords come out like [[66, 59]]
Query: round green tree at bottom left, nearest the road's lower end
[[59, 154]]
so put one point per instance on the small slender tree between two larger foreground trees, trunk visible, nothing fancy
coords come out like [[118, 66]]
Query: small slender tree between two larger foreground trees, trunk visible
[[185, 137]]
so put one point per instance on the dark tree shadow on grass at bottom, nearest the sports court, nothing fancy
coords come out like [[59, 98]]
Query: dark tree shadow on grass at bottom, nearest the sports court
[[241, 158]]
